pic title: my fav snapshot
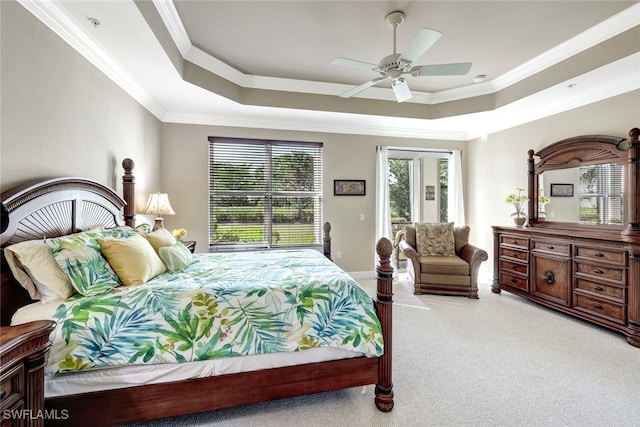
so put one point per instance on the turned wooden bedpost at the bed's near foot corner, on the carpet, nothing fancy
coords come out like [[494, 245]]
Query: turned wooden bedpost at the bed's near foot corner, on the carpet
[[384, 306]]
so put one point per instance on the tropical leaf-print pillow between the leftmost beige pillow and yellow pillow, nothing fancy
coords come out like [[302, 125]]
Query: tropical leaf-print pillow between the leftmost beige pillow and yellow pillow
[[79, 257]]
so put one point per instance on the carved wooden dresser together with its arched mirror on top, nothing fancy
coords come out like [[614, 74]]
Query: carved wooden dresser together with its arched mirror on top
[[588, 270]]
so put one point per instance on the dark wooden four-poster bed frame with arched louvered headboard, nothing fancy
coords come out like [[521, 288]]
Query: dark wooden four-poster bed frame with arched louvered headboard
[[61, 206]]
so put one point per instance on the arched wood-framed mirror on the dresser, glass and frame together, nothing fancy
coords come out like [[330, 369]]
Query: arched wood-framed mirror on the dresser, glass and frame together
[[580, 180]]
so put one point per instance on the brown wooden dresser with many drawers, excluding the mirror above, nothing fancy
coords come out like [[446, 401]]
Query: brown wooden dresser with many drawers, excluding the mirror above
[[590, 276]]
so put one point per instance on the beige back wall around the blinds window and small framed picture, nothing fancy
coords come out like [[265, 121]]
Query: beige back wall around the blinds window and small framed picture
[[185, 178]]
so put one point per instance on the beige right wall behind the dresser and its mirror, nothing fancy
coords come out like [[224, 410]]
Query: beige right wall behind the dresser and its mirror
[[496, 165]]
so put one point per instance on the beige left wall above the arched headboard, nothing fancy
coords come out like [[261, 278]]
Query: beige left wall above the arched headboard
[[61, 116]]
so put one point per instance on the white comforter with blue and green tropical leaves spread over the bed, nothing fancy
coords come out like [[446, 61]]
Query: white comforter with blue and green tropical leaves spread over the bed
[[222, 305]]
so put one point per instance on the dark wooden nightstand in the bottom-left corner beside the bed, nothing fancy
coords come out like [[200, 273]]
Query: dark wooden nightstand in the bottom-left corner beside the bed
[[22, 360]]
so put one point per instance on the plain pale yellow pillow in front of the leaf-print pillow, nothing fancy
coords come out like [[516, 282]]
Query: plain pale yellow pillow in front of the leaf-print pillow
[[133, 259]]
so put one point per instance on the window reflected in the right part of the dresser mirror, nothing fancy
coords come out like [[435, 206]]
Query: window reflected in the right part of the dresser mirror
[[600, 192]]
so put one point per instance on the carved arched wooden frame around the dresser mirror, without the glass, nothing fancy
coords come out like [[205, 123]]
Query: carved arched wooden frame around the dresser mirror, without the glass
[[573, 152]]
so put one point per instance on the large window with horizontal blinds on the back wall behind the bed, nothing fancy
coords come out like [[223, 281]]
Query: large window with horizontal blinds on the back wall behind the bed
[[264, 194]]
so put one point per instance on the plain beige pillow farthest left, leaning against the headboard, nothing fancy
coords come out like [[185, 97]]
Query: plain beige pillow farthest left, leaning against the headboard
[[33, 265]]
